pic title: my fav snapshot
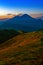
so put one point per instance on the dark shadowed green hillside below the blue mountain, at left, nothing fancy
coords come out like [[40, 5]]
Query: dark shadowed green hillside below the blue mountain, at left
[[7, 34]]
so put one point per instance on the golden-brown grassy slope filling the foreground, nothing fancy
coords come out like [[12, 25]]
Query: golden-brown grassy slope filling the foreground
[[24, 49]]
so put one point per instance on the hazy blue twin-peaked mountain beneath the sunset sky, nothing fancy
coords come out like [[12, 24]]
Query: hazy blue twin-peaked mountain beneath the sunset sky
[[23, 23]]
